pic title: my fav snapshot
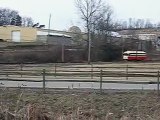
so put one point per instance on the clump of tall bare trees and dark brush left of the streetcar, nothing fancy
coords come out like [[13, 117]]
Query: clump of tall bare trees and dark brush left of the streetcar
[[98, 20]]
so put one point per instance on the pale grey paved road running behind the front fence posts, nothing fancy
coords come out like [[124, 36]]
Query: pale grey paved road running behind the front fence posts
[[72, 85]]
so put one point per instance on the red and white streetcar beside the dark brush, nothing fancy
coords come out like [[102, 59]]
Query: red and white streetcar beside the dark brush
[[134, 55]]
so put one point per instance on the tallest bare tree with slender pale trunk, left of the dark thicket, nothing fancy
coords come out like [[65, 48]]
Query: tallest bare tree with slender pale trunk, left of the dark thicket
[[91, 11]]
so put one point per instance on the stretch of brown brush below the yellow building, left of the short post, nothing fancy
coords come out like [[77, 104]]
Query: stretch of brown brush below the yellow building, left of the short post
[[46, 55]]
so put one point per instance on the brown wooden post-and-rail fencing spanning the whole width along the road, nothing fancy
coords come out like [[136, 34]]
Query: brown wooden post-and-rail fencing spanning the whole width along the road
[[43, 73]]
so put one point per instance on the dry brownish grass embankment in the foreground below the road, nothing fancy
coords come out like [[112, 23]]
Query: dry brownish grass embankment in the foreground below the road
[[70, 105]]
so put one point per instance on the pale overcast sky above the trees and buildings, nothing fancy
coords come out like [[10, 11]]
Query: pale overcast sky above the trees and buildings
[[64, 13]]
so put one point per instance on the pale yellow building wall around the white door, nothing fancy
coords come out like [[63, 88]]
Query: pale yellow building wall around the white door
[[27, 34]]
